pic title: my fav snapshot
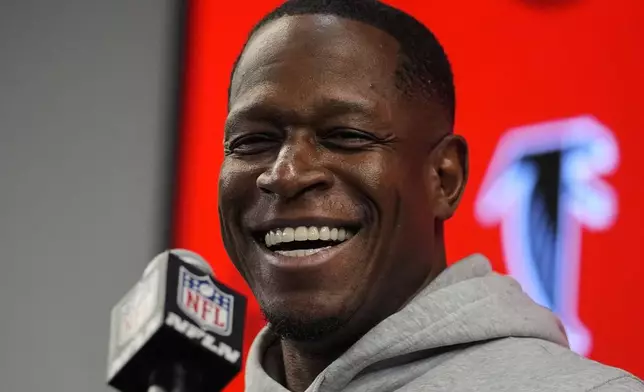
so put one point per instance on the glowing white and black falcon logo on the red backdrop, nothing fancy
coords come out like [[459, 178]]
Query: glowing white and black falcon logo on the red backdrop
[[543, 185]]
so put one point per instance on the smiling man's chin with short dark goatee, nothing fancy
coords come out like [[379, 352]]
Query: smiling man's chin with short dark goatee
[[301, 327]]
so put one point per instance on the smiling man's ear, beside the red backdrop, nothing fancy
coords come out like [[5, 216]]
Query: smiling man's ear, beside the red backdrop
[[451, 167]]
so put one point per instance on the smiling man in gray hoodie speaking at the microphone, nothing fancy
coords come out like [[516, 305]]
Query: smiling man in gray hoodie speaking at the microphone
[[341, 167]]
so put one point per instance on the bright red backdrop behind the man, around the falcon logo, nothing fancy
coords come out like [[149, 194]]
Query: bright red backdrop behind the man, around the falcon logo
[[516, 63]]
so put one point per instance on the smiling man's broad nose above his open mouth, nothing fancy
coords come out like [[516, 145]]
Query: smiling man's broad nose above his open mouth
[[296, 170]]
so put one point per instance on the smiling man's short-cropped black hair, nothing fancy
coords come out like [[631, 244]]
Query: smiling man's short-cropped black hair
[[423, 68]]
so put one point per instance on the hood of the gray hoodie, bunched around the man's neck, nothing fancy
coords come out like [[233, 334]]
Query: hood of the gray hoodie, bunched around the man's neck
[[465, 305]]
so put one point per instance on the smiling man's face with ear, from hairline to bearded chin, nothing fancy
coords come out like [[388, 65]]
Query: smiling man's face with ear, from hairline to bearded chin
[[331, 190]]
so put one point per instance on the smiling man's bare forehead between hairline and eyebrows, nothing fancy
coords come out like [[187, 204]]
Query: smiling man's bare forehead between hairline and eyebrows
[[317, 49]]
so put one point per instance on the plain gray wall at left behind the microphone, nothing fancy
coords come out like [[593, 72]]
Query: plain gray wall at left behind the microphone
[[83, 146]]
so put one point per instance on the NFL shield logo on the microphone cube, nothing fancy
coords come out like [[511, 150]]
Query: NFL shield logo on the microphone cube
[[202, 301]]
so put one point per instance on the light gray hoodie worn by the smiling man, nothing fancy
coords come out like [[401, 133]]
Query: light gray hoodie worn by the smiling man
[[469, 330]]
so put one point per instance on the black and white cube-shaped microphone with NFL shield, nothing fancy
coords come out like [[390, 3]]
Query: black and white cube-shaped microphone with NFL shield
[[176, 330]]
